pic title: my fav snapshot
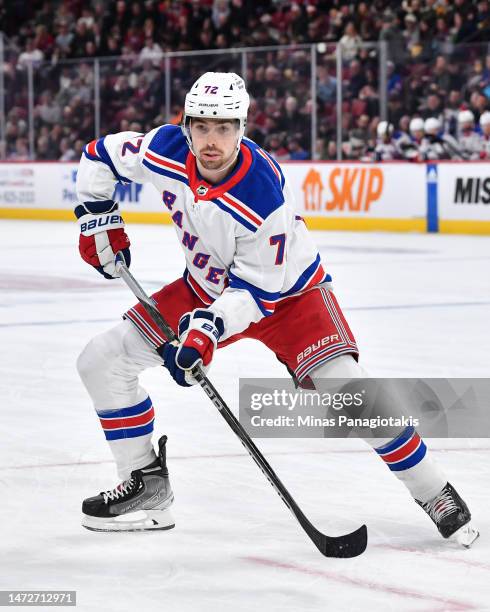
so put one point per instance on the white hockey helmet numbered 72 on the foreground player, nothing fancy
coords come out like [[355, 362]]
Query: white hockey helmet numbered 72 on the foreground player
[[217, 95]]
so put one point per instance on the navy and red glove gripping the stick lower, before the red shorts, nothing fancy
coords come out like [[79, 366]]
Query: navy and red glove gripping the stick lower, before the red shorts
[[199, 333]]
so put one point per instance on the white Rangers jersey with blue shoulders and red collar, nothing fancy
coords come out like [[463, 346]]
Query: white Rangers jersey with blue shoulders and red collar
[[245, 247]]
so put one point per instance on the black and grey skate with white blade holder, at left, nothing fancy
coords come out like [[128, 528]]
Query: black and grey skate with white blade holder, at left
[[138, 504]]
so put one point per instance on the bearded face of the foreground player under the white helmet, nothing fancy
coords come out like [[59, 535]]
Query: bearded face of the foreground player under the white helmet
[[214, 141]]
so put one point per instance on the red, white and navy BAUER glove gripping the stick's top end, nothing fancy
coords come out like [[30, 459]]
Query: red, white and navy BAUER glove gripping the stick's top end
[[102, 235]]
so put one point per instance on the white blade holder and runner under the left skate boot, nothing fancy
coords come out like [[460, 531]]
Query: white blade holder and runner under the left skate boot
[[142, 520]]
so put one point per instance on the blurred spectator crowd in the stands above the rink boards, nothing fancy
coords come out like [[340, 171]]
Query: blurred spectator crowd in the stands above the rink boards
[[437, 69]]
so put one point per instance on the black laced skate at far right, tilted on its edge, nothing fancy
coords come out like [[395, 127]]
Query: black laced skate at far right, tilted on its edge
[[451, 516]]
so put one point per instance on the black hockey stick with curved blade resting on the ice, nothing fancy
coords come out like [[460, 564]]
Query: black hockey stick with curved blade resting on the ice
[[345, 546]]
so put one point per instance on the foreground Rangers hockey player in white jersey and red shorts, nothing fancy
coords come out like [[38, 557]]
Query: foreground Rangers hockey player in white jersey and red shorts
[[252, 271]]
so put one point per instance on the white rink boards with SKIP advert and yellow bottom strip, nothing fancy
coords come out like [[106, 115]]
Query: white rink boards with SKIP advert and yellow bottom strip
[[436, 197]]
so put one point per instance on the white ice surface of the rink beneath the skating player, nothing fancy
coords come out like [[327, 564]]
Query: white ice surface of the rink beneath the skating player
[[419, 305]]
